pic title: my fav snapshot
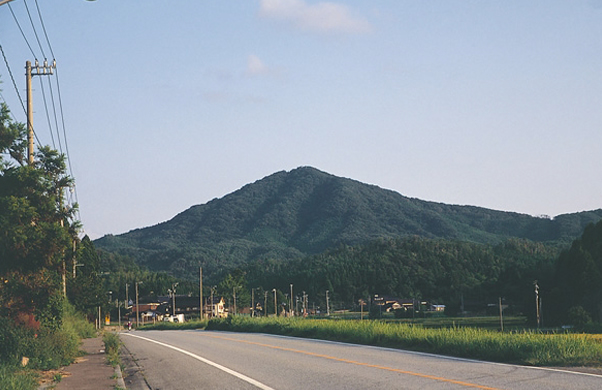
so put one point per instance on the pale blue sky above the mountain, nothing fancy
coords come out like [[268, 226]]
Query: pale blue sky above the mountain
[[170, 104]]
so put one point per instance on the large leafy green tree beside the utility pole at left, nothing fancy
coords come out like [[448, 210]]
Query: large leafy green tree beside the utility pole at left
[[36, 229]]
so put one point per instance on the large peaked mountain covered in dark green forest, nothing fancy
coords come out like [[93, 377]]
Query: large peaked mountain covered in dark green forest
[[305, 211]]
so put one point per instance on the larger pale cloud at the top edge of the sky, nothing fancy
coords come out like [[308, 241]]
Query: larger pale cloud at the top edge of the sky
[[320, 17]]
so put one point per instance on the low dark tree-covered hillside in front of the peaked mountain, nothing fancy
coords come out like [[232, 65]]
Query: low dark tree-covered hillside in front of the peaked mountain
[[440, 271]]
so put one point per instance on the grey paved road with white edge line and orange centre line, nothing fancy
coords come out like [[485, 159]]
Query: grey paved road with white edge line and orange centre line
[[223, 360]]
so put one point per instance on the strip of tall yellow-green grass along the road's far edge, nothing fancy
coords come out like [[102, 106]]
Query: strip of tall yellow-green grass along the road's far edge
[[530, 348]]
